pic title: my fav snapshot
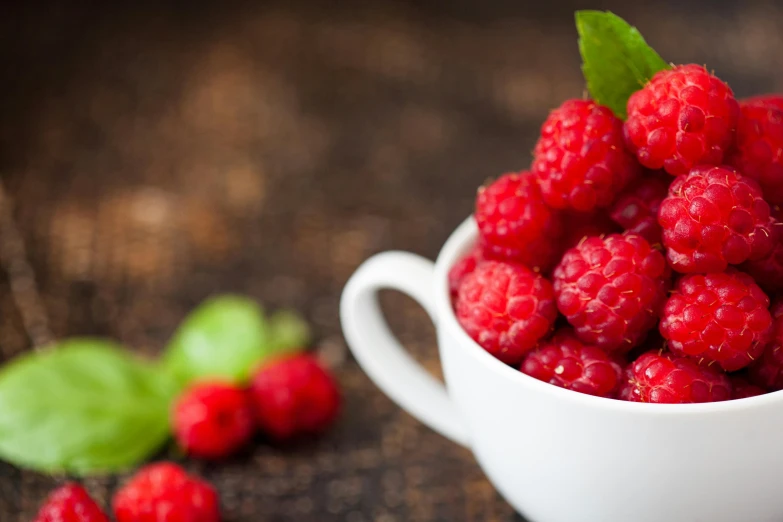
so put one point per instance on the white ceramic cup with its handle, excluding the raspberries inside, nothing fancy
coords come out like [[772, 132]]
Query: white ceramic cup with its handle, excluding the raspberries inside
[[558, 455]]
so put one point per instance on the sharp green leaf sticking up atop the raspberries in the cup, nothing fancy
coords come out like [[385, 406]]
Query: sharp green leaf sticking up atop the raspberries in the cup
[[616, 61]]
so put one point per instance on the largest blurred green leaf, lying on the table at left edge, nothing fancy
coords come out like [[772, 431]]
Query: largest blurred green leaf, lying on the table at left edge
[[82, 406]]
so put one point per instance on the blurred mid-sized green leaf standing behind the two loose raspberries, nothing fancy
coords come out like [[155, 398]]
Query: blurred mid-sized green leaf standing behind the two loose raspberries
[[224, 337]]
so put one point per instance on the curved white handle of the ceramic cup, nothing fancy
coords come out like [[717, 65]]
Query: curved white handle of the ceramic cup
[[379, 353]]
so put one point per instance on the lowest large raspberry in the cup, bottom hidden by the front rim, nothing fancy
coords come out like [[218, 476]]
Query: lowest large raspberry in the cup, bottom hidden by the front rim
[[661, 377]]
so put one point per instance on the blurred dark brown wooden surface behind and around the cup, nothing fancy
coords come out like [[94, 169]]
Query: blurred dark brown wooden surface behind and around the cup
[[153, 154]]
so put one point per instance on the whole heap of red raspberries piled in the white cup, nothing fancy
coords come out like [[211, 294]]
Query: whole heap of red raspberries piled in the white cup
[[639, 260]]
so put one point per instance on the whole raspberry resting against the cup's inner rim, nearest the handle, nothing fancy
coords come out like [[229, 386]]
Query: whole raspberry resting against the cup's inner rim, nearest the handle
[[506, 308]]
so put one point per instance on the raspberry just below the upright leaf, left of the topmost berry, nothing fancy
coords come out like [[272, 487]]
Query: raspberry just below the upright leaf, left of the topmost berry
[[580, 160]]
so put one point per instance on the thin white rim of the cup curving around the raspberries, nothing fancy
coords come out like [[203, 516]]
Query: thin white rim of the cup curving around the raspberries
[[456, 245]]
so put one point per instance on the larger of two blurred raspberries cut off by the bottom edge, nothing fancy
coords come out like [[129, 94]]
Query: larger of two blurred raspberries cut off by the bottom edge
[[163, 492]]
